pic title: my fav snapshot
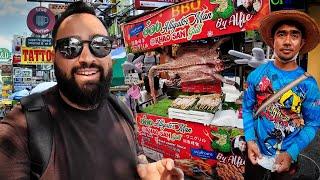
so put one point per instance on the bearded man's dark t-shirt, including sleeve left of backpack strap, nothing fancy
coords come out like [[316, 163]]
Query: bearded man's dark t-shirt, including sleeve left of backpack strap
[[87, 144]]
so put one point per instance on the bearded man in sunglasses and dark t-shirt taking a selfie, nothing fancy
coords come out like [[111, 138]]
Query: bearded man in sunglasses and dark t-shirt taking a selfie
[[91, 139]]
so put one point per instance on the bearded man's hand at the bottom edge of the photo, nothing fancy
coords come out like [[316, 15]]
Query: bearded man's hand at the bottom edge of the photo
[[163, 169]]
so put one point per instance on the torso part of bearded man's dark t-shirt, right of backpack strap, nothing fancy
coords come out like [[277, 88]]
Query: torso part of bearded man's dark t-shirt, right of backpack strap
[[93, 143]]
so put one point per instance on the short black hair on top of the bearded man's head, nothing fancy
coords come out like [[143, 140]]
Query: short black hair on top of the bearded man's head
[[77, 7]]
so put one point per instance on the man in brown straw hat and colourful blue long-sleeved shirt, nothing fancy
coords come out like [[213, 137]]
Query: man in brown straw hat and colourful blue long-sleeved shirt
[[279, 131]]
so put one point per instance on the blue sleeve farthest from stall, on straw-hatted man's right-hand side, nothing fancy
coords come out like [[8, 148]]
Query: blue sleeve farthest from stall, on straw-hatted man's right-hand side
[[310, 114]]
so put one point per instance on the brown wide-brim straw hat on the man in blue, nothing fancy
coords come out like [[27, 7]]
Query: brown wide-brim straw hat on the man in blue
[[312, 35]]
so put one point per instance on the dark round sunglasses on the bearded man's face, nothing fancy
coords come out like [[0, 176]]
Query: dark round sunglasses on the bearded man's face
[[71, 47]]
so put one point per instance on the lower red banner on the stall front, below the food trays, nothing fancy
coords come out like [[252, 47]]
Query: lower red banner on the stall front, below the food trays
[[201, 151]]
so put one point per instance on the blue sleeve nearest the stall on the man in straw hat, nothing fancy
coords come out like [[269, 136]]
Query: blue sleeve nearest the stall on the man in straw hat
[[249, 100]]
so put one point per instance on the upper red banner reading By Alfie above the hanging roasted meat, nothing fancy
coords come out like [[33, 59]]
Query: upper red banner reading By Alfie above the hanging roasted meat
[[193, 20]]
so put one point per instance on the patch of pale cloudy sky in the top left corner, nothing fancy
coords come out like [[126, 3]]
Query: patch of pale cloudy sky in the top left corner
[[13, 17]]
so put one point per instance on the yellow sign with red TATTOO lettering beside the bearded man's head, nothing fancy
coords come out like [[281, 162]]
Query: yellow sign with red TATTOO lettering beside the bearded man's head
[[36, 55]]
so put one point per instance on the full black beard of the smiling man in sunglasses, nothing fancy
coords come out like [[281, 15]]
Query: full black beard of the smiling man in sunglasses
[[91, 94]]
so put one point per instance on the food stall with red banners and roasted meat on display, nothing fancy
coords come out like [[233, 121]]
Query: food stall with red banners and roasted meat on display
[[201, 125]]
